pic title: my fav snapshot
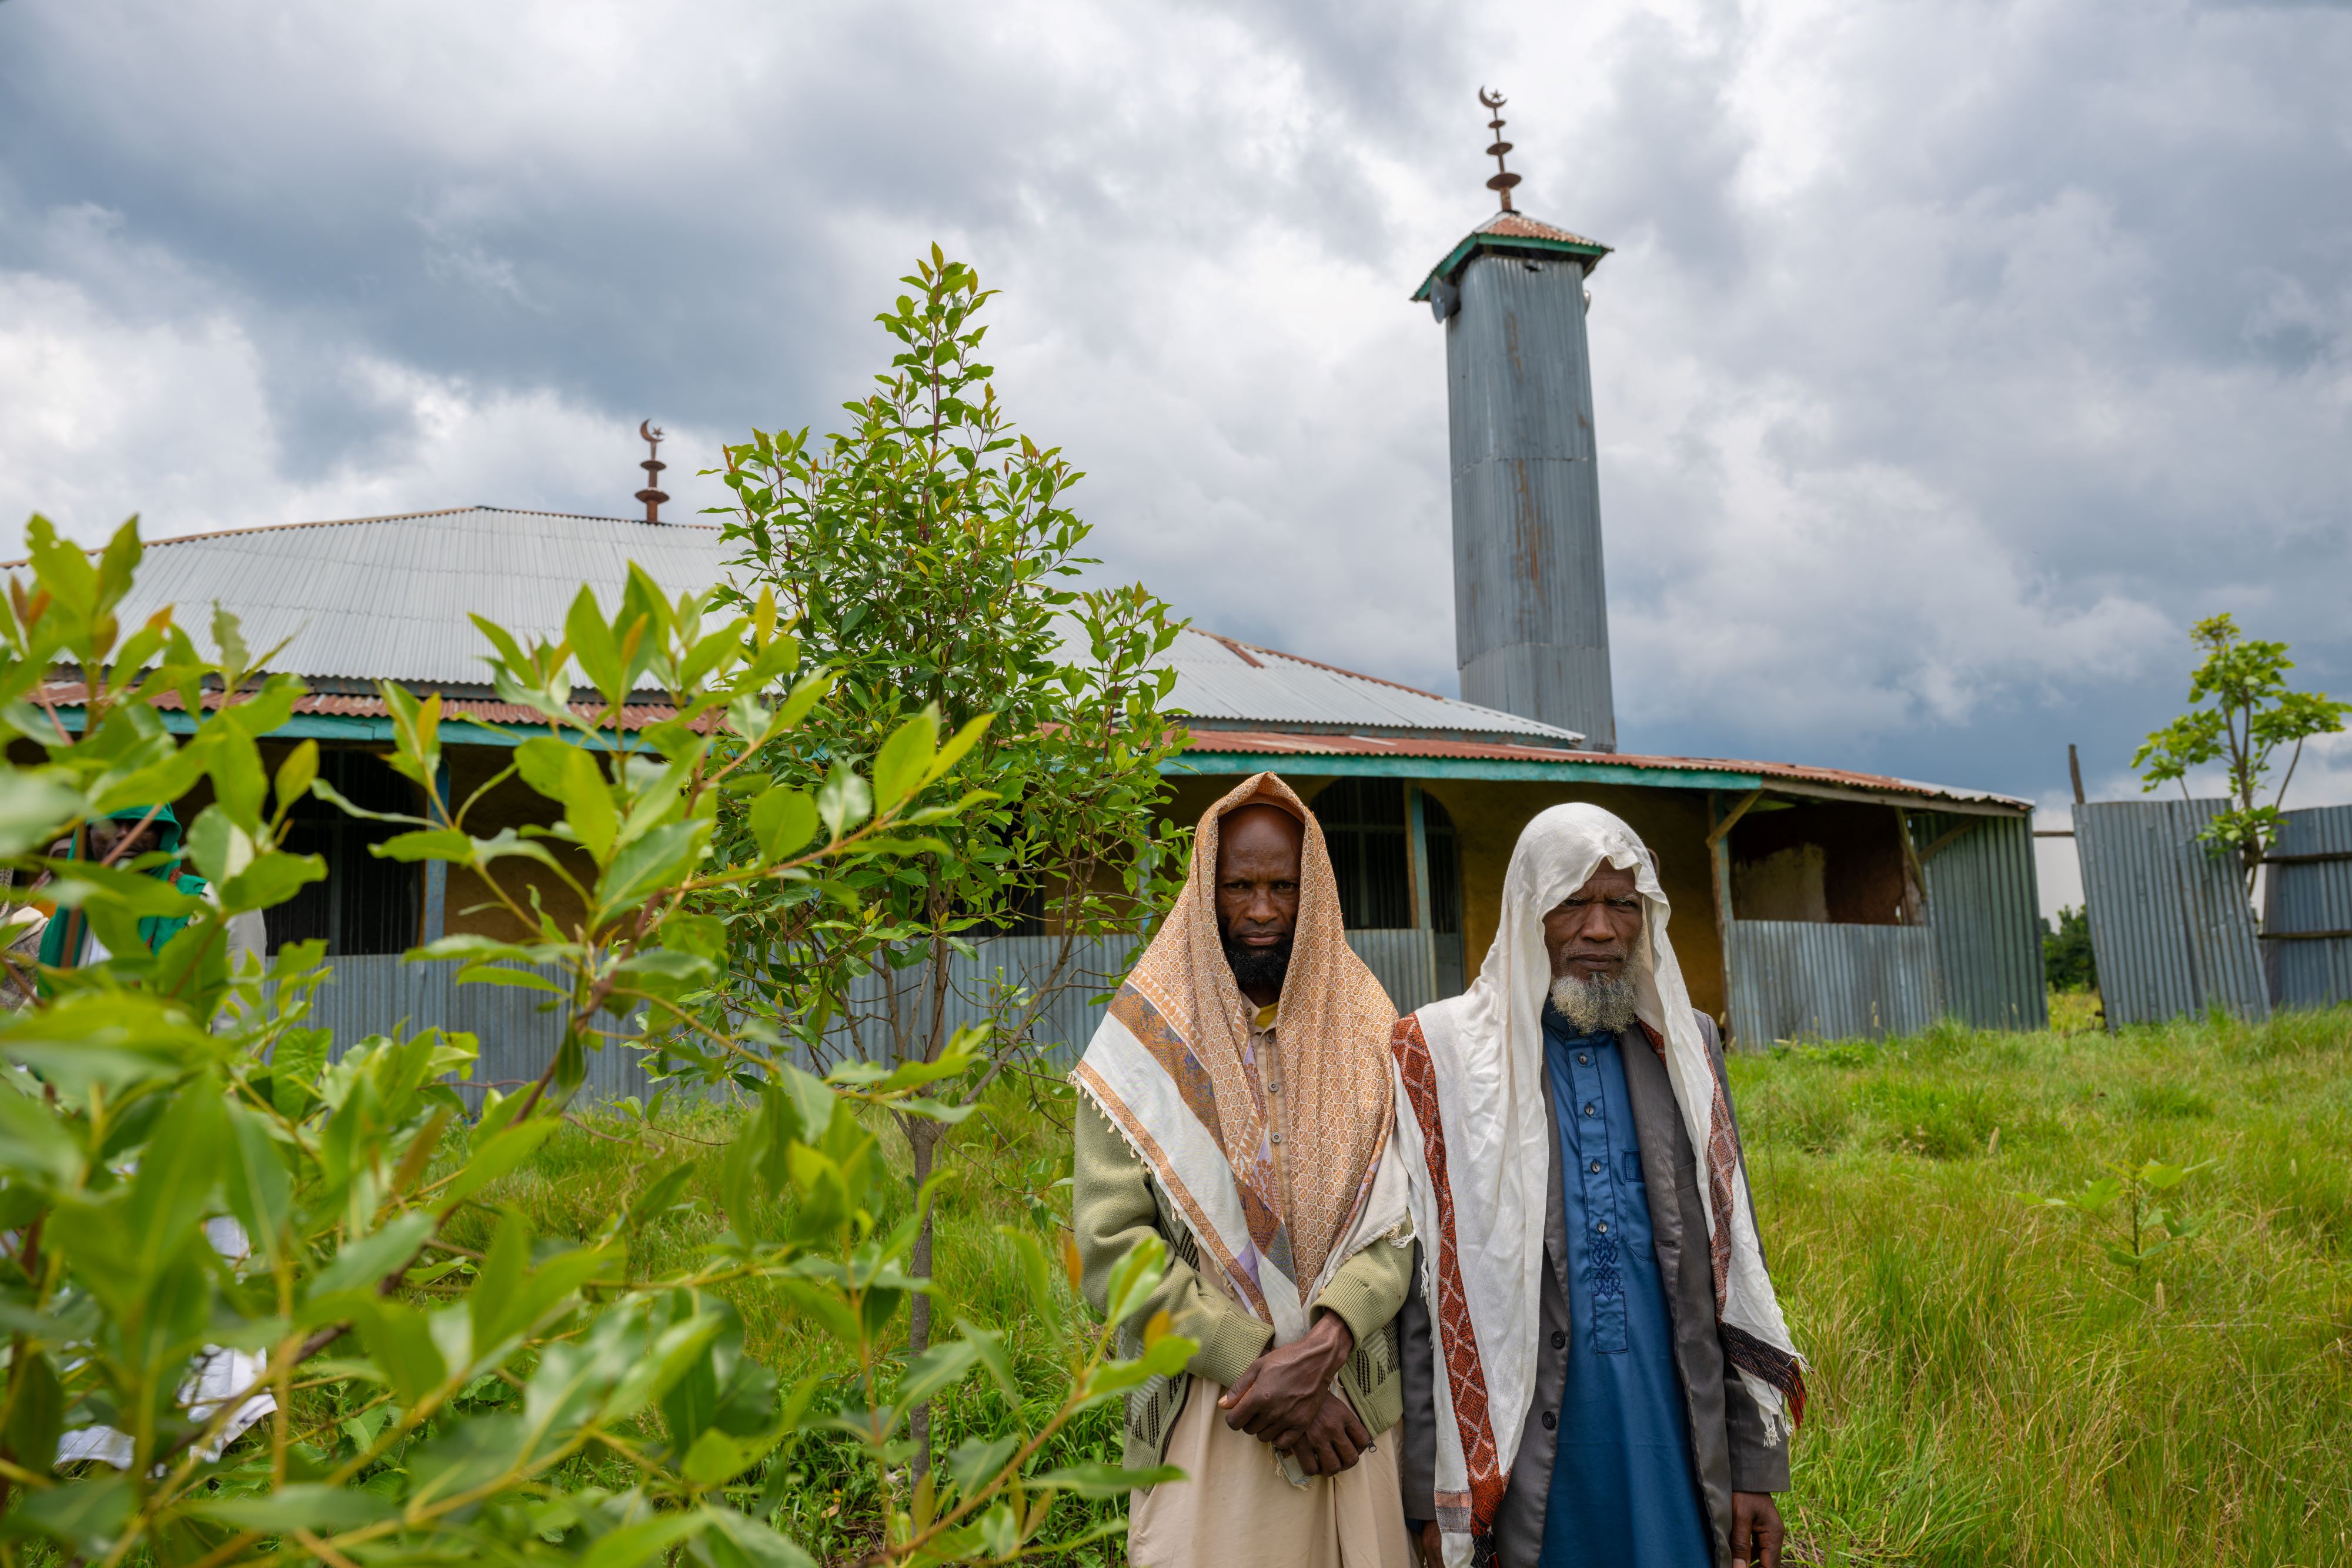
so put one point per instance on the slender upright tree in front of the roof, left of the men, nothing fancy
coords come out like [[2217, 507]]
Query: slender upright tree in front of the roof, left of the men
[[928, 556]]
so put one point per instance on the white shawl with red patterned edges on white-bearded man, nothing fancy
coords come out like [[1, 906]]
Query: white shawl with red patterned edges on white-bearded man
[[1478, 1148]]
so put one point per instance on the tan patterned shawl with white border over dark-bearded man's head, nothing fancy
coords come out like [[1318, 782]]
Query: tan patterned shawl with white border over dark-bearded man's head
[[1172, 1068]]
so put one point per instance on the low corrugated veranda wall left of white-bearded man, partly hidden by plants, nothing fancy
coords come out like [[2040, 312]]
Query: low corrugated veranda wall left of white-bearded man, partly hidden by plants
[[382, 996]]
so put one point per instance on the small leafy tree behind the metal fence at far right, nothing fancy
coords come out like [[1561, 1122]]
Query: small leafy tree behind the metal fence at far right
[[2243, 713]]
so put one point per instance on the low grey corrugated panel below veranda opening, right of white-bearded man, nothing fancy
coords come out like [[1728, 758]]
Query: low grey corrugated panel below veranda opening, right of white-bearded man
[[1819, 981]]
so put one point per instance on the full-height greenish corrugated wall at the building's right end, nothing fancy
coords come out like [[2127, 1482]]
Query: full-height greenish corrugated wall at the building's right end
[[1986, 913]]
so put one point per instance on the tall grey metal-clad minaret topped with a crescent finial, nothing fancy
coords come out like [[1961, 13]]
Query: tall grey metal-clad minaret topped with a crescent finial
[[1530, 598]]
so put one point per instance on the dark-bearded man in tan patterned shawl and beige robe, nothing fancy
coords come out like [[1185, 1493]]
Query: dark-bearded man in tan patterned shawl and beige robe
[[1238, 1104]]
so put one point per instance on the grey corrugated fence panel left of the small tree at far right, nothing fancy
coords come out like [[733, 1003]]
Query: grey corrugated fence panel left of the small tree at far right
[[2170, 923]]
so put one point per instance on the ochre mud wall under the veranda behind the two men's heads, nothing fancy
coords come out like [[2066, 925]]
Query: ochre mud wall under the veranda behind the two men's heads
[[1488, 822]]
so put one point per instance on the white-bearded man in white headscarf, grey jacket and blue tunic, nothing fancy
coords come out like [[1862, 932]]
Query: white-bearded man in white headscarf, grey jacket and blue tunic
[[1596, 1369]]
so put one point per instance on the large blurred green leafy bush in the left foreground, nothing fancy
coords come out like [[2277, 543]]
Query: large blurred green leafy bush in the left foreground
[[523, 1400]]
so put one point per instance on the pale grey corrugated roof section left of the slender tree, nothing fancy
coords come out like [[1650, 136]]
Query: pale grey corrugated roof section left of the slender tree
[[387, 598]]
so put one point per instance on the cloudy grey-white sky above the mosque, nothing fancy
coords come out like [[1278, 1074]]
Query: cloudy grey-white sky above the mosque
[[1949, 366]]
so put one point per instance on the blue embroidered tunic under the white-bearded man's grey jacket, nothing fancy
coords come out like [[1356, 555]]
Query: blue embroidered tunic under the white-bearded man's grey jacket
[[1624, 1494]]
